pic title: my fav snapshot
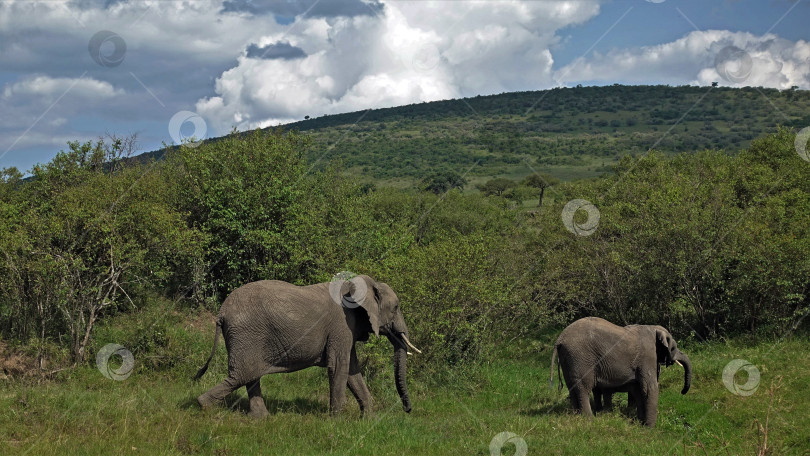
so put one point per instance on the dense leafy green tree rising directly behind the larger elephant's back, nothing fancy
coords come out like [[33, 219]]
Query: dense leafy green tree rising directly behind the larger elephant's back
[[245, 193]]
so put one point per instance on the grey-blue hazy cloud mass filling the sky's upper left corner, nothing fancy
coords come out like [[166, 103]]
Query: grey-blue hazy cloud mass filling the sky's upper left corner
[[174, 52]]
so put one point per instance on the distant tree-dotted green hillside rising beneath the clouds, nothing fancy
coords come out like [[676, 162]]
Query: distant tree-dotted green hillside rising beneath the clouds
[[569, 133]]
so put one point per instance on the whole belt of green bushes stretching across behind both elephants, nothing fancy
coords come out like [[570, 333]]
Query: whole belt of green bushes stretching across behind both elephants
[[705, 243]]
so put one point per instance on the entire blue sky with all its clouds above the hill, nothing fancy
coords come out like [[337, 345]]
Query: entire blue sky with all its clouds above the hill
[[213, 65]]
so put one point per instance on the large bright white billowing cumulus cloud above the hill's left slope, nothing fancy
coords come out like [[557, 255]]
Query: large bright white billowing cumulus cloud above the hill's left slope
[[405, 52]]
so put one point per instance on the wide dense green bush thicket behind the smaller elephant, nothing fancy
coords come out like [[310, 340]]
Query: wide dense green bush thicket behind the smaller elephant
[[706, 243]]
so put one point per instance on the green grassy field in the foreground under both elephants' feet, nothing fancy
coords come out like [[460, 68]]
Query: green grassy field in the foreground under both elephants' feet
[[456, 411]]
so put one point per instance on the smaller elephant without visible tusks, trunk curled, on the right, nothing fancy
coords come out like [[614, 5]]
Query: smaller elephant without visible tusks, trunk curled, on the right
[[596, 355]]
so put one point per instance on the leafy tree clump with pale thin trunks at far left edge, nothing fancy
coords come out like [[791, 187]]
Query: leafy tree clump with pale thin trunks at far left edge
[[90, 231]]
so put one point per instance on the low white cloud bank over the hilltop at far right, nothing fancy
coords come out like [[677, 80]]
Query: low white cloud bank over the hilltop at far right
[[700, 58]]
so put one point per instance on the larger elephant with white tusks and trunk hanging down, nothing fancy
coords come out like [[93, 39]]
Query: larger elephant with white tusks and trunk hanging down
[[272, 326]]
